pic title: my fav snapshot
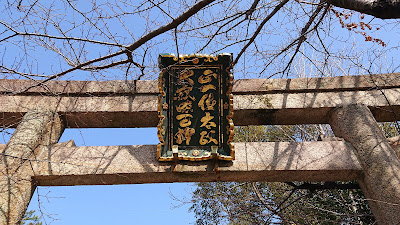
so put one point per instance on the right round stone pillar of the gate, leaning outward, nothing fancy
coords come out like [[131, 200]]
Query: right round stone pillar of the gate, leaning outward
[[381, 177]]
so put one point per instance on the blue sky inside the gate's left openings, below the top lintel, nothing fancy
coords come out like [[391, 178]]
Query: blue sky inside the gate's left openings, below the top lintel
[[116, 204]]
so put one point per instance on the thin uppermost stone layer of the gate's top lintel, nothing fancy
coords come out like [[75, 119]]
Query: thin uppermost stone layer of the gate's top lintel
[[241, 86]]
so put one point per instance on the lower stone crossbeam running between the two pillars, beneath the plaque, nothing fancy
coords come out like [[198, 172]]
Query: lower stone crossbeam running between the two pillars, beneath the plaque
[[266, 161]]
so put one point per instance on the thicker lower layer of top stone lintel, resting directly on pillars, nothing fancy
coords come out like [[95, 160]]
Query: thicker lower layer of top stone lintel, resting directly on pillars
[[140, 110]]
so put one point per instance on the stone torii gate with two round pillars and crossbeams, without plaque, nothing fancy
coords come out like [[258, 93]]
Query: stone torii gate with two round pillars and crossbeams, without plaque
[[351, 105]]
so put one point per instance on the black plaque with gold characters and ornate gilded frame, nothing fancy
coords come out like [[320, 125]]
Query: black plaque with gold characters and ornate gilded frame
[[195, 107]]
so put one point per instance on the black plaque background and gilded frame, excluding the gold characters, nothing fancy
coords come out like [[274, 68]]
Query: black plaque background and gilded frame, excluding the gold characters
[[223, 109]]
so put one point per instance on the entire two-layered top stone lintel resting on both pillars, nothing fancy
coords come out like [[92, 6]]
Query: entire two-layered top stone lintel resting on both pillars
[[92, 104]]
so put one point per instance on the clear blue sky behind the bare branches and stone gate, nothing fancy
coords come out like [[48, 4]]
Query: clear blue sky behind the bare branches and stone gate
[[153, 203]]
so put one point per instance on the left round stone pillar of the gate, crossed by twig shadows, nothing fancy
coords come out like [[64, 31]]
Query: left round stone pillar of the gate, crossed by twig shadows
[[37, 131]]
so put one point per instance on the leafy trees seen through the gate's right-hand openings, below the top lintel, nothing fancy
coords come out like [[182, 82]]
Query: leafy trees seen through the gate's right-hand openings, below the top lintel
[[239, 203]]
